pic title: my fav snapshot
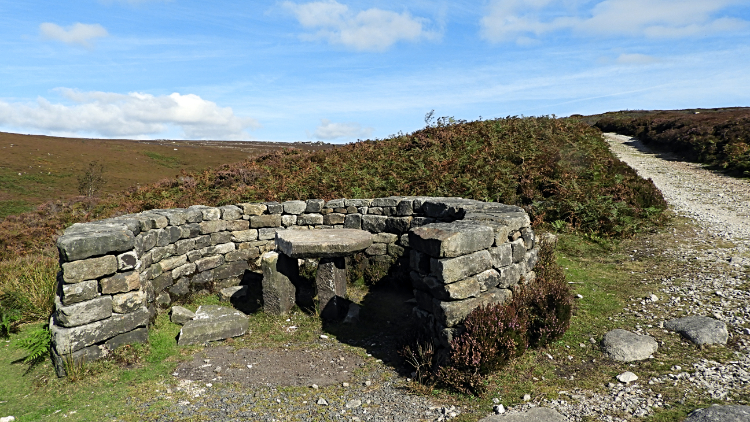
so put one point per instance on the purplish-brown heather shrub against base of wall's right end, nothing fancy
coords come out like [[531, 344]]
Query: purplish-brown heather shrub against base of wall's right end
[[539, 313]]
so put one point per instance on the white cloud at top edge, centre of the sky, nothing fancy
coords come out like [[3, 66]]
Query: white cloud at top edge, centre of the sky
[[368, 30]]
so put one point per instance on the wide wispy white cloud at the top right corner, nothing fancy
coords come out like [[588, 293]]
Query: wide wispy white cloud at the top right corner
[[516, 20]]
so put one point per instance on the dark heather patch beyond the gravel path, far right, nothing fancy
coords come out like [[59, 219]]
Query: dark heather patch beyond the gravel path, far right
[[719, 137]]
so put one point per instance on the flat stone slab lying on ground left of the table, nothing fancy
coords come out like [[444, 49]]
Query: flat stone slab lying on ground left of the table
[[212, 323]]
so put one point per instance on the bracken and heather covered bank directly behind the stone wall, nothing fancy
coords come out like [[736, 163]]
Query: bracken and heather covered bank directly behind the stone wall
[[560, 170]]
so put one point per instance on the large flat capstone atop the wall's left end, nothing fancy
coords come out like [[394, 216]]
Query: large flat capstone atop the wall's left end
[[78, 246]]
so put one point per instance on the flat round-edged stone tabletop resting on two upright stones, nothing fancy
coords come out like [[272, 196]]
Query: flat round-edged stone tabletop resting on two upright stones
[[330, 243]]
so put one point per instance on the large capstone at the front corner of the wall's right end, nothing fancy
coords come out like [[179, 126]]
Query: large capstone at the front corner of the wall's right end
[[447, 240]]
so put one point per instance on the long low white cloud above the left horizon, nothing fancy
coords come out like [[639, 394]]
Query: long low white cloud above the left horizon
[[128, 115]]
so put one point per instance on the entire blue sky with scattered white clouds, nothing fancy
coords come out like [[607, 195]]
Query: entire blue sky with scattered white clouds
[[342, 70]]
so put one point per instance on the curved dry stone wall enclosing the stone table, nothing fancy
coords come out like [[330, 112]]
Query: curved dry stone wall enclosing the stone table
[[115, 273]]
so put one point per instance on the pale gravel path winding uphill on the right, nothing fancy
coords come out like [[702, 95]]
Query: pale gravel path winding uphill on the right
[[712, 282]]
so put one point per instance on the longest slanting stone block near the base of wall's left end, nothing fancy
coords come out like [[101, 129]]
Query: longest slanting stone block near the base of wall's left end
[[68, 340]]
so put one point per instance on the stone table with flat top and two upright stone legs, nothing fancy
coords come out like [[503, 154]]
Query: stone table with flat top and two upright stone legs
[[331, 246]]
